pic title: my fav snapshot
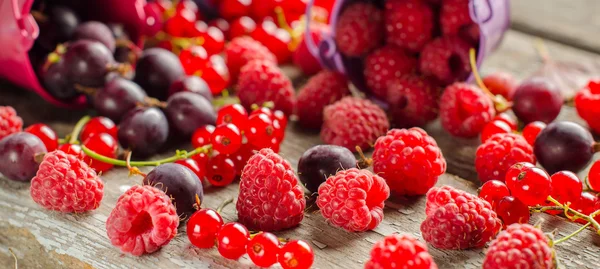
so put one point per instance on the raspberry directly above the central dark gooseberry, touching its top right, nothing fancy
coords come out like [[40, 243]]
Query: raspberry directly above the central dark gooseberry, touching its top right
[[352, 122]]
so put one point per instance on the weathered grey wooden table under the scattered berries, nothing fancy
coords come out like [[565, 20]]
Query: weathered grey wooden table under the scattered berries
[[45, 239]]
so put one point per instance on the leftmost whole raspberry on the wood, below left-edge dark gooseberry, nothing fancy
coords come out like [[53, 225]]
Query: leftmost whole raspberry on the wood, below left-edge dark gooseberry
[[65, 183]]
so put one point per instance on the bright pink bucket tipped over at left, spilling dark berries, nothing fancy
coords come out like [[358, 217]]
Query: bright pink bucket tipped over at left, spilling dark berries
[[18, 31]]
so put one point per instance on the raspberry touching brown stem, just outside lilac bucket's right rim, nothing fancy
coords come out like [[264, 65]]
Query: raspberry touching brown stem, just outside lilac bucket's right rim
[[465, 110]]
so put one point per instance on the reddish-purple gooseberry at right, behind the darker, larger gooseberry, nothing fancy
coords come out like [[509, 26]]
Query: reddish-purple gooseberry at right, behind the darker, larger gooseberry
[[537, 99]]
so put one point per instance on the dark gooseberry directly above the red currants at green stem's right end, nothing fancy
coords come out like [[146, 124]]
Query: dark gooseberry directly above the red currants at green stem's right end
[[189, 111]]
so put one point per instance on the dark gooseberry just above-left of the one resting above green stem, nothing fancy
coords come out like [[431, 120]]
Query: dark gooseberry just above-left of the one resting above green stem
[[118, 97]]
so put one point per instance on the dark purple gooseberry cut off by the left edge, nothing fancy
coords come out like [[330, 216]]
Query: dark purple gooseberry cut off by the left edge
[[17, 156]]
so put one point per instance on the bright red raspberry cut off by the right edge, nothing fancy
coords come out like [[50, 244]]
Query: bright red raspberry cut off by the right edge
[[587, 103]]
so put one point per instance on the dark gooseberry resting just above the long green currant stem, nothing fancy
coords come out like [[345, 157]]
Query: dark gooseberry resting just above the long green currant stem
[[143, 130]]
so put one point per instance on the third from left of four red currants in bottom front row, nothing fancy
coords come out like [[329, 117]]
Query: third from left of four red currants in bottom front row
[[263, 249]]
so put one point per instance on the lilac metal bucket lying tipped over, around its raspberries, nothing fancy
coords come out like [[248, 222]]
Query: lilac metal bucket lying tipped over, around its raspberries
[[492, 16]]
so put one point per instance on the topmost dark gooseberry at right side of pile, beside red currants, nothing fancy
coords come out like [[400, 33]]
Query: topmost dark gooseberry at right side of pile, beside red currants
[[156, 70]]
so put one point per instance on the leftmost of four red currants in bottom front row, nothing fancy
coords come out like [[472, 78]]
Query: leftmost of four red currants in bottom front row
[[203, 226]]
